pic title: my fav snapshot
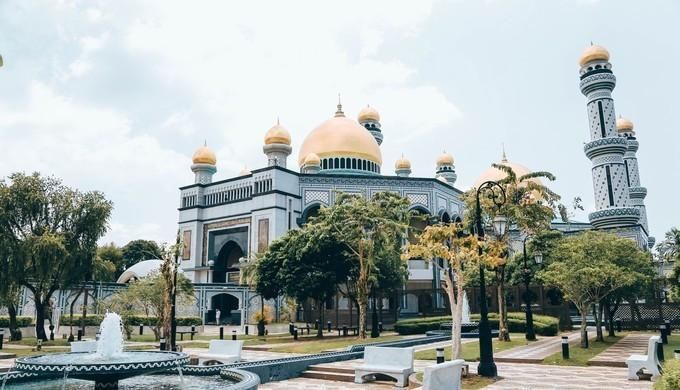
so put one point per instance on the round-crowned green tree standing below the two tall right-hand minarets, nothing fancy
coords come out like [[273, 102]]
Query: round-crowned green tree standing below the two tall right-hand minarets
[[591, 265]]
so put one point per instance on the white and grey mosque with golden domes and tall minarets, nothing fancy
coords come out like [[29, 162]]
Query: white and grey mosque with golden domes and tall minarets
[[224, 221]]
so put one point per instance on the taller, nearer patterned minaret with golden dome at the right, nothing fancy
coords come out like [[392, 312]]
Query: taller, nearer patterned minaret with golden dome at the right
[[606, 149]]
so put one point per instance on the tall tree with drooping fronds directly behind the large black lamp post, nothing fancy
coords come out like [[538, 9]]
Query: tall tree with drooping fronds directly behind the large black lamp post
[[530, 206]]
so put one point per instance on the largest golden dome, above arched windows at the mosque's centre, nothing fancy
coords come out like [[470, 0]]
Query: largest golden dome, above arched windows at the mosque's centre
[[340, 137]]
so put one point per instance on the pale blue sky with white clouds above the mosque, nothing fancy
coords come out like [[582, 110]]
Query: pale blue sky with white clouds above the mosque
[[116, 96]]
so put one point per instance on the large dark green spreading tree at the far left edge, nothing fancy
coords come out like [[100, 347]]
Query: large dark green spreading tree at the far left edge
[[50, 232]]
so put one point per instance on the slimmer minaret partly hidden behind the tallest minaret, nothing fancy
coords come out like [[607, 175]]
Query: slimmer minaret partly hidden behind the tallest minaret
[[637, 193]]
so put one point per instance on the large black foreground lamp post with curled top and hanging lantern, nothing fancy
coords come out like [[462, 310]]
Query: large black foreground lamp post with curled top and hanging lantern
[[486, 366]]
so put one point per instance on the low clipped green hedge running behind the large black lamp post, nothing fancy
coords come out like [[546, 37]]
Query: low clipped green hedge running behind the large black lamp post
[[543, 325]]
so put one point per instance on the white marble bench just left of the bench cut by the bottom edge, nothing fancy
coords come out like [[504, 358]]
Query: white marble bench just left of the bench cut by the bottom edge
[[396, 363]]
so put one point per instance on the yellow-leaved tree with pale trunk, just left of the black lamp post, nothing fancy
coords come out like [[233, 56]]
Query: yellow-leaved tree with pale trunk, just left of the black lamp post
[[459, 253]]
